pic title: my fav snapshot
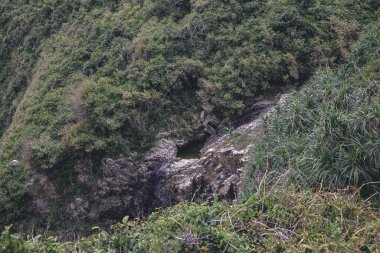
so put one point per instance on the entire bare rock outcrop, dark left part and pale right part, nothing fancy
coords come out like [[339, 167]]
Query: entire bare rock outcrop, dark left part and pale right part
[[120, 186]]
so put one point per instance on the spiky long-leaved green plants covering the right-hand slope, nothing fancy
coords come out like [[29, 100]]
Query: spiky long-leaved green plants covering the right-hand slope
[[328, 134]]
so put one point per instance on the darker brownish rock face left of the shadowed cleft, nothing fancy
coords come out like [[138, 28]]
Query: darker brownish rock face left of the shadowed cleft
[[121, 188]]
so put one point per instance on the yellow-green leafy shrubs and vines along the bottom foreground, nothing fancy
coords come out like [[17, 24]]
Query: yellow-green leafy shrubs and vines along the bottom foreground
[[270, 221]]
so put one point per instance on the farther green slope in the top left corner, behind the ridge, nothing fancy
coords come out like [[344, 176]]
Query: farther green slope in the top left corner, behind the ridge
[[24, 28]]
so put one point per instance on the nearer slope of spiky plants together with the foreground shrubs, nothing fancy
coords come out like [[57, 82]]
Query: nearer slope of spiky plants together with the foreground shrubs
[[282, 214]]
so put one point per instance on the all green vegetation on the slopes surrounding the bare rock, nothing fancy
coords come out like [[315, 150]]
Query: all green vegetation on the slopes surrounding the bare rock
[[101, 78]]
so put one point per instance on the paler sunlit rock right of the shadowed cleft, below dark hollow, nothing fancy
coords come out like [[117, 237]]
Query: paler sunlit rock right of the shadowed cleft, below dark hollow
[[219, 169]]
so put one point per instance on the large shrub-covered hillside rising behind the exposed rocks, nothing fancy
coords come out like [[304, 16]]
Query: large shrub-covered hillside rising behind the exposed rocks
[[102, 78]]
